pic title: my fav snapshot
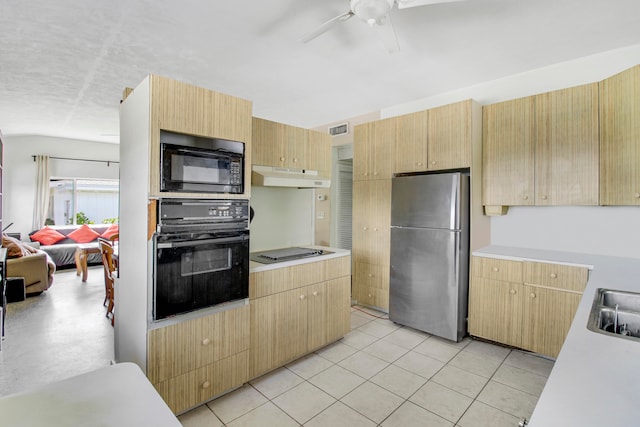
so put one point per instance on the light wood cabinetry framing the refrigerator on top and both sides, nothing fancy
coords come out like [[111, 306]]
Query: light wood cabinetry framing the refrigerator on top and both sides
[[442, 138]]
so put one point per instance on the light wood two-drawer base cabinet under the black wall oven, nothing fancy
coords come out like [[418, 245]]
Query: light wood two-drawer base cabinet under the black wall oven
[[193, 361]]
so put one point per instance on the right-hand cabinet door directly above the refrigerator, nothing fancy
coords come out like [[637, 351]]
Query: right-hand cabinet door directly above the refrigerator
[[449, 136]]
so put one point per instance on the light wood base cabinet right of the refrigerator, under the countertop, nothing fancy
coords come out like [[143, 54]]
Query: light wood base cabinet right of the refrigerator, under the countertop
[[524, 304]]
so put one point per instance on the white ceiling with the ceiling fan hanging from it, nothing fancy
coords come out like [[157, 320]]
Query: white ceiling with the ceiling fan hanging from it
[[64, 63]]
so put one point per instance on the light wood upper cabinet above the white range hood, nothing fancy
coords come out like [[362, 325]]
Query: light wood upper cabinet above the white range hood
[[281, 145]]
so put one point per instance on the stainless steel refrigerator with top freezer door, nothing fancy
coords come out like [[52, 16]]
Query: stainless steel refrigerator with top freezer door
[[429, 277]]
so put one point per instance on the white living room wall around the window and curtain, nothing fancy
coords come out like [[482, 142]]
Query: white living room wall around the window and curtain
[[20, 171]]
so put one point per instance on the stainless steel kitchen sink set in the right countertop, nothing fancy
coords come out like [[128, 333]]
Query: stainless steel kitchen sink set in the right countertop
[[616, 313]]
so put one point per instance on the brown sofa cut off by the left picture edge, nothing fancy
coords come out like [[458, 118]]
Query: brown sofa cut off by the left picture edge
[[34, 265]]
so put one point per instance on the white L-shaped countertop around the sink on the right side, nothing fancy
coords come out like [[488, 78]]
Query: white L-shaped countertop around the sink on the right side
[[596, 378]]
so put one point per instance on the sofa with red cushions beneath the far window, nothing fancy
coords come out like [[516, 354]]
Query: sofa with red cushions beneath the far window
[[61, 242]]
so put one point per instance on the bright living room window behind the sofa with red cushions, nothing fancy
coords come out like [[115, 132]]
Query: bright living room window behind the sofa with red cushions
[[83, 201]]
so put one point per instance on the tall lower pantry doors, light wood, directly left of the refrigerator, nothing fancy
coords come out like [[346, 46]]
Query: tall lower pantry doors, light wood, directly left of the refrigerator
[[371, 233]]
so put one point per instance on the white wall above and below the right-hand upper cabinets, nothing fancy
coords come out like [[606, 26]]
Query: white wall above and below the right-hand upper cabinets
[[601, 230]]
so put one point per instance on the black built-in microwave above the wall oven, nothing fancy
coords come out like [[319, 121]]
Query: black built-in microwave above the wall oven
[[195, 164]]
